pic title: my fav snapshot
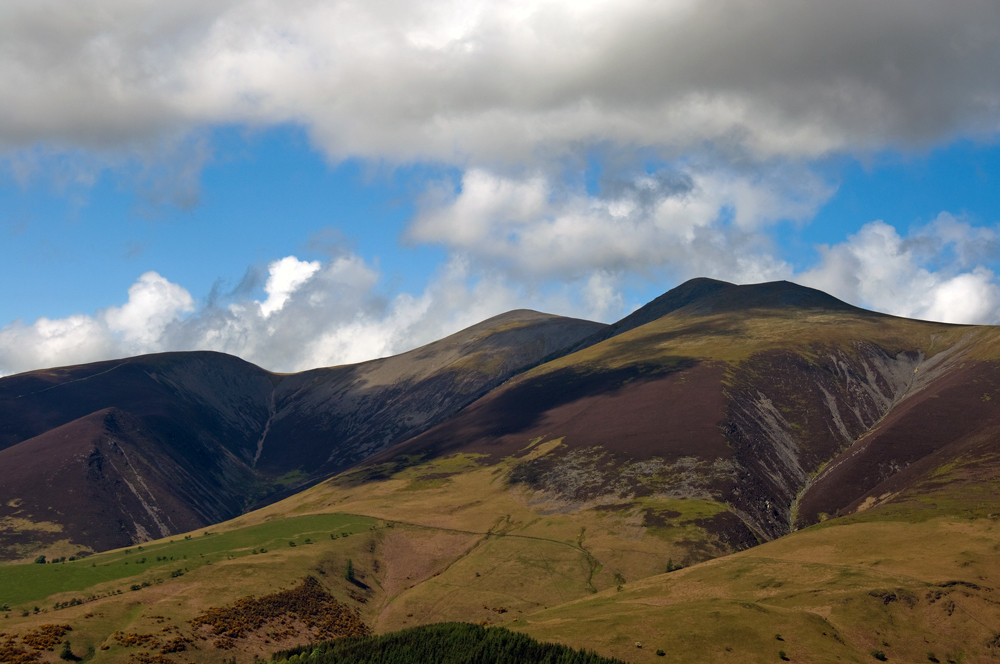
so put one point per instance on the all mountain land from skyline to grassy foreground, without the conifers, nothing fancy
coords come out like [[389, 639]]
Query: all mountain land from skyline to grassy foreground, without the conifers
[[745, 473]]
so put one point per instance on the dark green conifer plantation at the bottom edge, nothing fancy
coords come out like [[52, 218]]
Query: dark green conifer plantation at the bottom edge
[[445, 643]]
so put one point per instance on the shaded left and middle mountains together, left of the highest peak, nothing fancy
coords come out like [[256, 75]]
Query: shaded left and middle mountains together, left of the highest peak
[[114, 453]]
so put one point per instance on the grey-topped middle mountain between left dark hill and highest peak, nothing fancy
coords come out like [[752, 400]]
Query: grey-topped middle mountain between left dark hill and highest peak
[[375, 404]]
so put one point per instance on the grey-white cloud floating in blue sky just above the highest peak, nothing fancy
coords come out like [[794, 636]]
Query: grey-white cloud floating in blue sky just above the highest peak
[[695, 222]]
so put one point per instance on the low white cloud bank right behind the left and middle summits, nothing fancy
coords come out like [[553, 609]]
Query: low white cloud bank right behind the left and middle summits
[[313, 314]]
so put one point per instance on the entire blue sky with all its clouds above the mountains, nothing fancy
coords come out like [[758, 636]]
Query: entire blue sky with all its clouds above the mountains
[[316, 183]]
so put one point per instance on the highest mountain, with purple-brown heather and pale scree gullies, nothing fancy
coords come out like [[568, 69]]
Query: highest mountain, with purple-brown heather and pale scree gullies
[[739, 394]]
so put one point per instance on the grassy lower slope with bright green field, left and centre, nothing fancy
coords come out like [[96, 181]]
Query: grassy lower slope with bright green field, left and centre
[[441, 541]]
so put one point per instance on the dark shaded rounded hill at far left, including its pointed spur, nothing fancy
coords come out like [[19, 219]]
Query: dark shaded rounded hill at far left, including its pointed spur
[[117, 452]]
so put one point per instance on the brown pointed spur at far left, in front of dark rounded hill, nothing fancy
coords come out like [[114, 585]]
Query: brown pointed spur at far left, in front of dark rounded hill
[[103, 481]]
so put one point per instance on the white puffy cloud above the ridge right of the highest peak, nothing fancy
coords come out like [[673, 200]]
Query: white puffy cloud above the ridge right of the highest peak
[[917, 276]]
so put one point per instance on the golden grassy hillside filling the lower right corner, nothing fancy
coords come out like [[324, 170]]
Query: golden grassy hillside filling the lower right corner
[[914, 580]]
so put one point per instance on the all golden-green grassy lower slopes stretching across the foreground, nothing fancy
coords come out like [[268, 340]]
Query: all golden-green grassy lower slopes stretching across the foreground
[[908, 578]]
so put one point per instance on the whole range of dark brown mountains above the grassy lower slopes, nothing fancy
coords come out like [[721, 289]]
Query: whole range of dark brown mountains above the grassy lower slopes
[[746, 395]]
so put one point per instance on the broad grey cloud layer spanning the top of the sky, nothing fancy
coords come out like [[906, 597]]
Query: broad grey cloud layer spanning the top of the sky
[[487, 81]]
